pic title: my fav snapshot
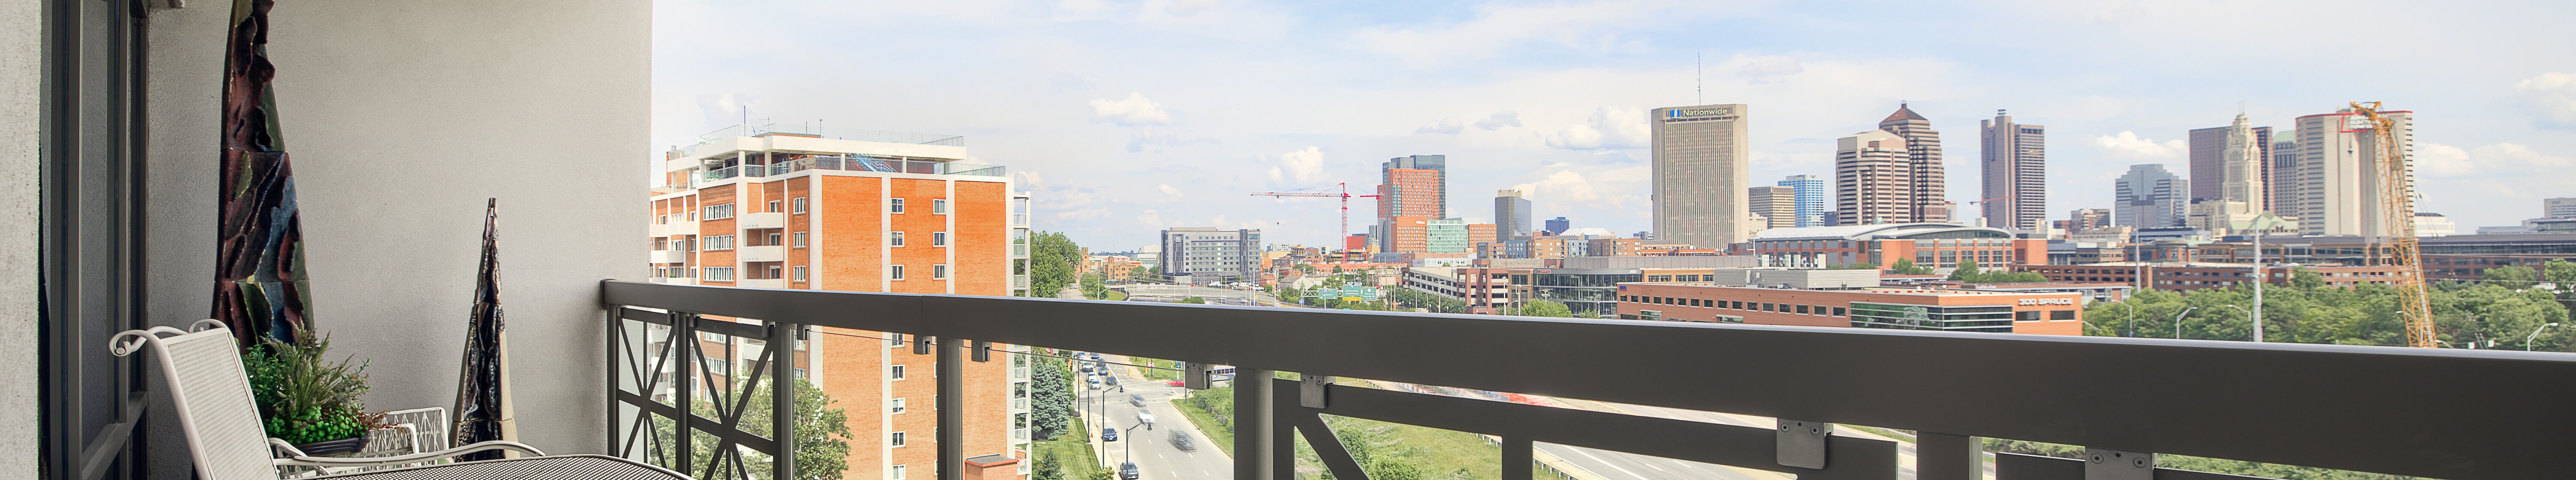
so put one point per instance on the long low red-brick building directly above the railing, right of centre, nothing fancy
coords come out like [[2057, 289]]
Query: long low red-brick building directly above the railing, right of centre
[[2047, 314]]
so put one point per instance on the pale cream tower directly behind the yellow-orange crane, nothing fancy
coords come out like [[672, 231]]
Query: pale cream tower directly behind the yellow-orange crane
[[2340, 177]]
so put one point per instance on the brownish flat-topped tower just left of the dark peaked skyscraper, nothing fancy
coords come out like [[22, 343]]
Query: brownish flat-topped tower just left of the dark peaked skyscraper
[[1874, 179]]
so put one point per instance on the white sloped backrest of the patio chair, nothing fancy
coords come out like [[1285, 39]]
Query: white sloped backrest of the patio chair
[[213, 399]]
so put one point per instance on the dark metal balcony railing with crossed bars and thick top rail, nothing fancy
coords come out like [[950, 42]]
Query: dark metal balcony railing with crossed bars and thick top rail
[[2441, 412]]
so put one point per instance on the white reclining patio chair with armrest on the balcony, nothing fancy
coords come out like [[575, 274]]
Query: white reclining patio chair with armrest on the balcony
[[223, 425]]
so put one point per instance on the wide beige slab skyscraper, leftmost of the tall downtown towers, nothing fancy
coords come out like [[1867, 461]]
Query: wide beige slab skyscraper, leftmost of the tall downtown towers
[[1701, 164]]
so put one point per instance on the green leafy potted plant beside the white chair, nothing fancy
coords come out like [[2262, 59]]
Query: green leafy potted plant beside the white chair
[[308, 399]]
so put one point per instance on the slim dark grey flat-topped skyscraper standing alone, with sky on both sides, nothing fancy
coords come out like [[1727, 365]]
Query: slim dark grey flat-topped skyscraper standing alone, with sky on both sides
[[2016, 172]]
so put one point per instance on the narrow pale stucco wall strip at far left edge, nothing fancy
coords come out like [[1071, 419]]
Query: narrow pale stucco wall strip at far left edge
[[22, 40]]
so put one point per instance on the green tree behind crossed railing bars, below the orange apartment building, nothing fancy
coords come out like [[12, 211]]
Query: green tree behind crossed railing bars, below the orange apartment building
[[823, 432]]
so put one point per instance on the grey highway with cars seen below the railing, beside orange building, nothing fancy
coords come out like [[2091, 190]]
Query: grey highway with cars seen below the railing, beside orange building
[[1153, 450]]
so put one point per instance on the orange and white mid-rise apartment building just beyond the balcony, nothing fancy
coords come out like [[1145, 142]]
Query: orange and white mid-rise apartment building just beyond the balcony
[[851, 210]]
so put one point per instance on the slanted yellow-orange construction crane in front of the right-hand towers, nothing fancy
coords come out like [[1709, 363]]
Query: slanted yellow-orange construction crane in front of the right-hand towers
[[2397, 215]]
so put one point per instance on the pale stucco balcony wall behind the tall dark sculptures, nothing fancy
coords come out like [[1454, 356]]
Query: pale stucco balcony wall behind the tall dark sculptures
[[401, 120]]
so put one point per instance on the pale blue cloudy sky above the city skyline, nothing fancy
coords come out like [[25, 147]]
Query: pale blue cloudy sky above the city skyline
[[1132, 117]]
